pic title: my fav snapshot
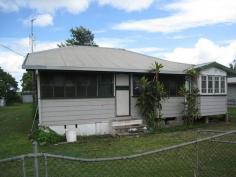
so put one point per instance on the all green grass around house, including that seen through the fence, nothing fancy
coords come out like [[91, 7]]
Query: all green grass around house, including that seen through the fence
[[15, 123]]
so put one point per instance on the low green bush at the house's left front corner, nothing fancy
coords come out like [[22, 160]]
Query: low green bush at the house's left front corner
[[45, 136]]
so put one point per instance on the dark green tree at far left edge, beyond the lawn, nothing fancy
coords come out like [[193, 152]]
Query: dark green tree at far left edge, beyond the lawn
[[8, 87]]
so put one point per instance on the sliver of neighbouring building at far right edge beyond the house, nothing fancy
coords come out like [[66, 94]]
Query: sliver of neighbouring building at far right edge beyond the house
[[232, 91]]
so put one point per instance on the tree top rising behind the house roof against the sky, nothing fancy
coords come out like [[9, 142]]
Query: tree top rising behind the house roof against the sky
[[79, 36]]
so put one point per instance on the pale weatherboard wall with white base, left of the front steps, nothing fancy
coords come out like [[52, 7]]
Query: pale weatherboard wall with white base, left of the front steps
[[92, 116]]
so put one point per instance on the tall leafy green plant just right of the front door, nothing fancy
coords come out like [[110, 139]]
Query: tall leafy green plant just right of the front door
[[152, 94]]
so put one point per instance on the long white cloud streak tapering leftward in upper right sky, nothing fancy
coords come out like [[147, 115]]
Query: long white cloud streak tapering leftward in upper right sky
[[186, 14]]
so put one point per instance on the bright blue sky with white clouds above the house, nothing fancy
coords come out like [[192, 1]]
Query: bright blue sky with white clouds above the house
[[188, 31]]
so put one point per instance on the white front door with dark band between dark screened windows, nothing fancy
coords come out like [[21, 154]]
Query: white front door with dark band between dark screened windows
[[122, 95]]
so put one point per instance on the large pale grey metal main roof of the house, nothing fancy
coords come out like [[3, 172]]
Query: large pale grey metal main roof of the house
[[98, 59]]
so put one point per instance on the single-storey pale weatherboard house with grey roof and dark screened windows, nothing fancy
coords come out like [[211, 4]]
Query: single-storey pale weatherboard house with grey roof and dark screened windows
[[94, 89]]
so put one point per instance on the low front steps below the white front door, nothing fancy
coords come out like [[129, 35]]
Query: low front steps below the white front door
[[128, 126]]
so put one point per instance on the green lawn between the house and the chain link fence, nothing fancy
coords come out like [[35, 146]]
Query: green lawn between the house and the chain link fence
[[15, 124]]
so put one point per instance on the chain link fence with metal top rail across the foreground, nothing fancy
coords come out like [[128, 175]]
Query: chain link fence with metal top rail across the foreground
[[212, 154]]
